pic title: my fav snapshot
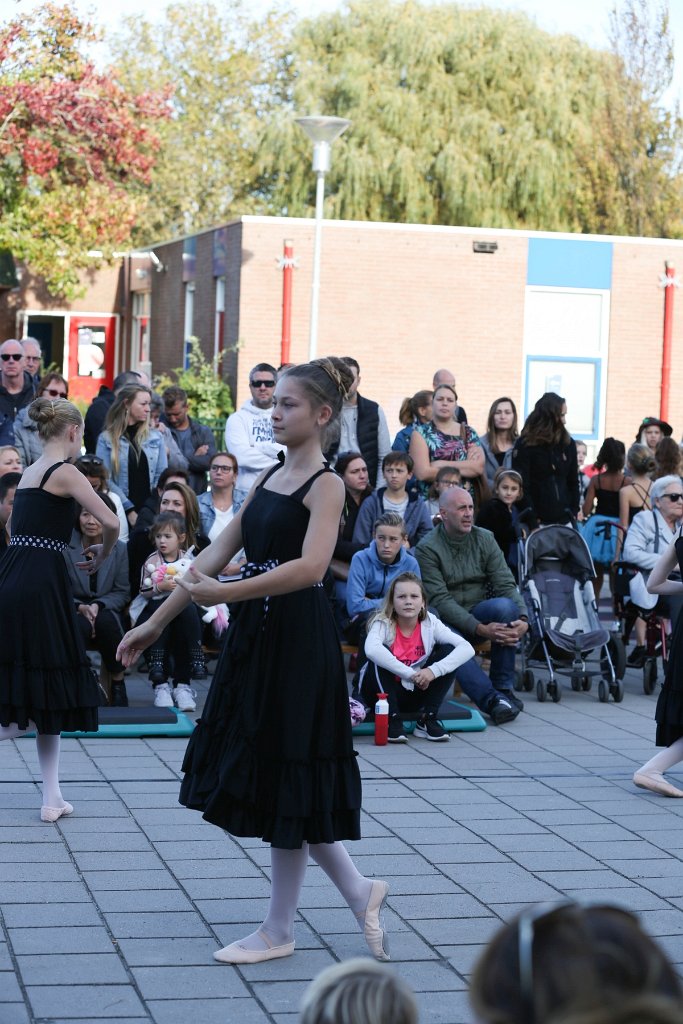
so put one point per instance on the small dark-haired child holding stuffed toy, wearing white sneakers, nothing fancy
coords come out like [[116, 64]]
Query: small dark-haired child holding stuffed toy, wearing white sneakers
[[168, 533]]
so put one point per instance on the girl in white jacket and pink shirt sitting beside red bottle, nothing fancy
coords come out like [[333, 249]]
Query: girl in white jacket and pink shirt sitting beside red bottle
[[412, 658]]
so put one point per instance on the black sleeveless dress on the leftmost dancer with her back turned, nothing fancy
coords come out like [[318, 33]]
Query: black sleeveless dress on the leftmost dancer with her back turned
[[45, 672]]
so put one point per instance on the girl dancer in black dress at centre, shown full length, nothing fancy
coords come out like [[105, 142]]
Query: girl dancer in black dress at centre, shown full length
[[273, 755]]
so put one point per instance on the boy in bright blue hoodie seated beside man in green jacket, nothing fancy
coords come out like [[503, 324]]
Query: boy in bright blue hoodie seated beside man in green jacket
[[373, 569]]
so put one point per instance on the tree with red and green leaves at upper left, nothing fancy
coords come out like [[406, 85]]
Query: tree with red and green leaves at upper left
[[76, 149]]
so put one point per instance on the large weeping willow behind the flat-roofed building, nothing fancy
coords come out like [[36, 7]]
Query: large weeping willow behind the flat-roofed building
[[460, 117]]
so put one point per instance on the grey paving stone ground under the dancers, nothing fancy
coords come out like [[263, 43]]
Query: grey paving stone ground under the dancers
[[113, 915]]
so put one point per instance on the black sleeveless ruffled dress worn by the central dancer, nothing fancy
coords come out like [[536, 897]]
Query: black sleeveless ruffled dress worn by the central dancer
[[273, 755]]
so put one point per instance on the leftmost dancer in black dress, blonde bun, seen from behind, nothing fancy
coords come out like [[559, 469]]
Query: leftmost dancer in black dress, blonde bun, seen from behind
[[47, 684]]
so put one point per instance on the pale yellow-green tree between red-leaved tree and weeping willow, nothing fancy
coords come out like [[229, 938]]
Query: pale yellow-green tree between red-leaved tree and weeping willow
[[225, 71]]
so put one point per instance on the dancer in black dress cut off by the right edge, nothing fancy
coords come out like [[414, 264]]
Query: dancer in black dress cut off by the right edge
[[669, 714]]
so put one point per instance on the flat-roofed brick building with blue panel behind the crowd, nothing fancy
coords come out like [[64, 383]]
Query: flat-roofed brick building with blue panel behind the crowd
[[510, 313]]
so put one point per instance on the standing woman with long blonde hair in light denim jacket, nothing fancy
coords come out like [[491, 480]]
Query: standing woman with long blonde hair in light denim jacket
[[135, 455]]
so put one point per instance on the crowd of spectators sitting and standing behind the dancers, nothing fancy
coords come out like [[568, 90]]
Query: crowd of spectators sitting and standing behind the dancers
[[443, 502]]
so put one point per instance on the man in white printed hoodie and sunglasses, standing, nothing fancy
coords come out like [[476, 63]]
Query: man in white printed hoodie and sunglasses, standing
[[249, 432]]
